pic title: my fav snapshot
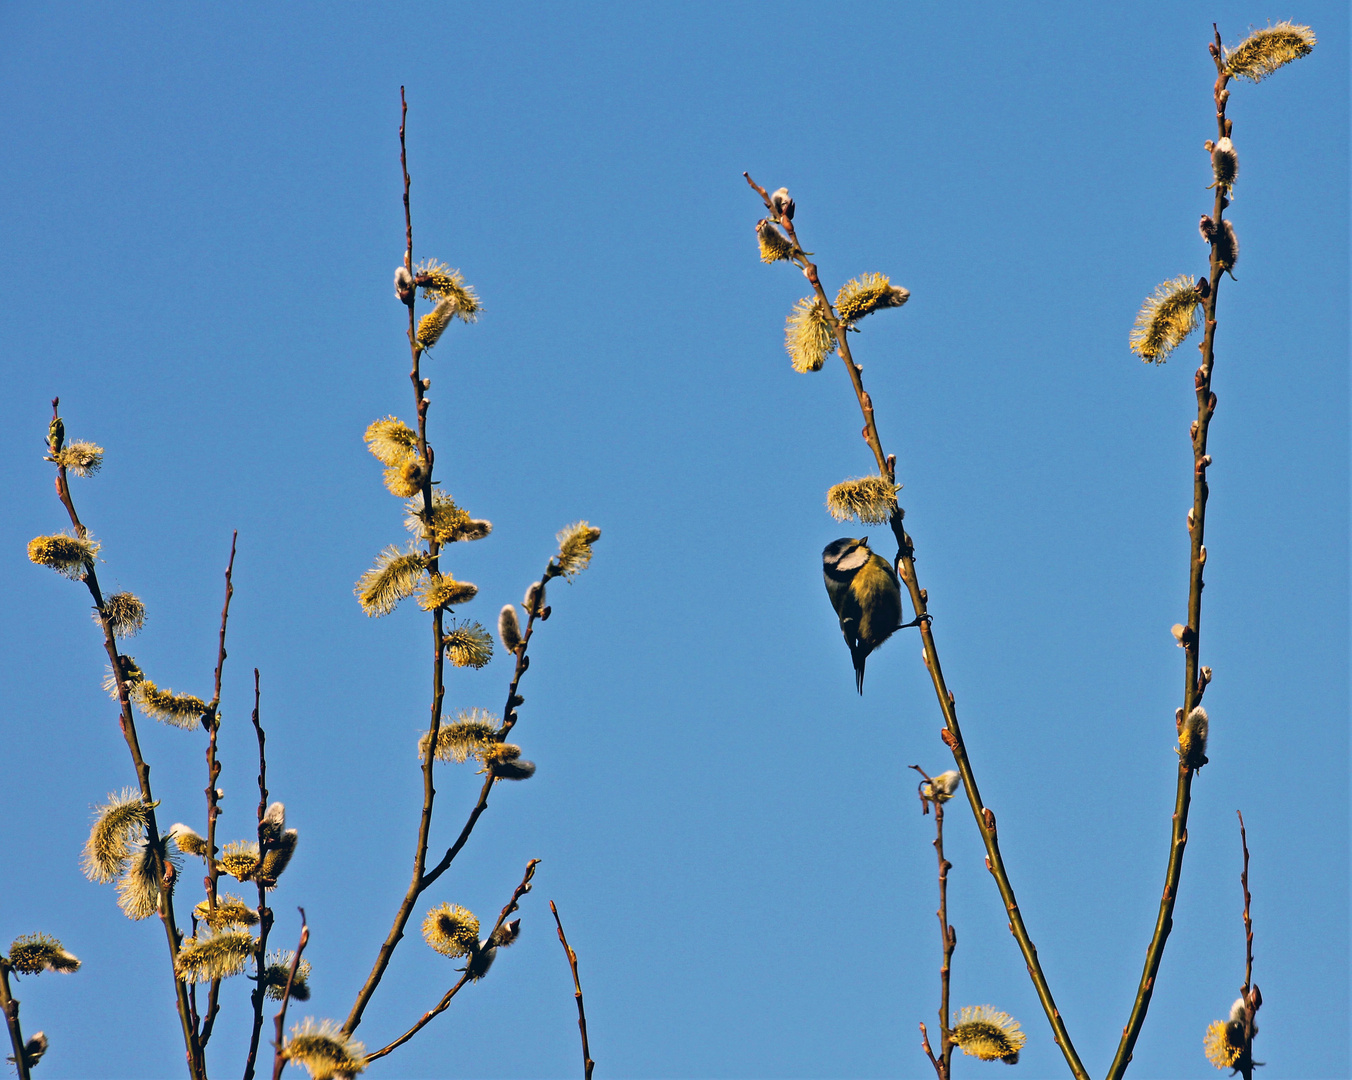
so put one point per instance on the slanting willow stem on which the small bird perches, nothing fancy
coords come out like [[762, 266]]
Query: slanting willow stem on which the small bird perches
[[952, 733]]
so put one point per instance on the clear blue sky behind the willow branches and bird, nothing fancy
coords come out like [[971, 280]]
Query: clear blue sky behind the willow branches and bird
[[202, 220]]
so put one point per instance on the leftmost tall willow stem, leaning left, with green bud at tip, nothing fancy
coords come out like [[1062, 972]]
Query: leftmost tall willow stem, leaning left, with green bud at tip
[[164, 870]]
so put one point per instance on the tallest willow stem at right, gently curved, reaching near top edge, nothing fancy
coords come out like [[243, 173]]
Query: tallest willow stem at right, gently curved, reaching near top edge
[[1194, 683]]
